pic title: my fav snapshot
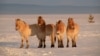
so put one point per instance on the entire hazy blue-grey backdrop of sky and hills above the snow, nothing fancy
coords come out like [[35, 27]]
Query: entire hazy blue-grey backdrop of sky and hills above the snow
[[49, 6]]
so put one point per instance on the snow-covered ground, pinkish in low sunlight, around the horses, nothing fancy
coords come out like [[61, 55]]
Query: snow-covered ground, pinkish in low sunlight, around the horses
[[88, 41]]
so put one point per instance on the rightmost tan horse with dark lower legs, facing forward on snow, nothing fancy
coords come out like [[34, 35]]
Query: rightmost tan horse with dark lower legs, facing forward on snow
[[72, 32]]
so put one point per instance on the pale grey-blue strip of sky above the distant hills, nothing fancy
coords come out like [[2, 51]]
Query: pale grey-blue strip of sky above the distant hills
[[54, 2]]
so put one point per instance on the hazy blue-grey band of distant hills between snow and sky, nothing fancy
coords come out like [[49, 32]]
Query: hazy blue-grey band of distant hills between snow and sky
[[40, 9]]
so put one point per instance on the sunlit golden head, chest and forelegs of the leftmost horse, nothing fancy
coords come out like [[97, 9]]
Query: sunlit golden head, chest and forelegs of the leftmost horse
[[24, 31]]
